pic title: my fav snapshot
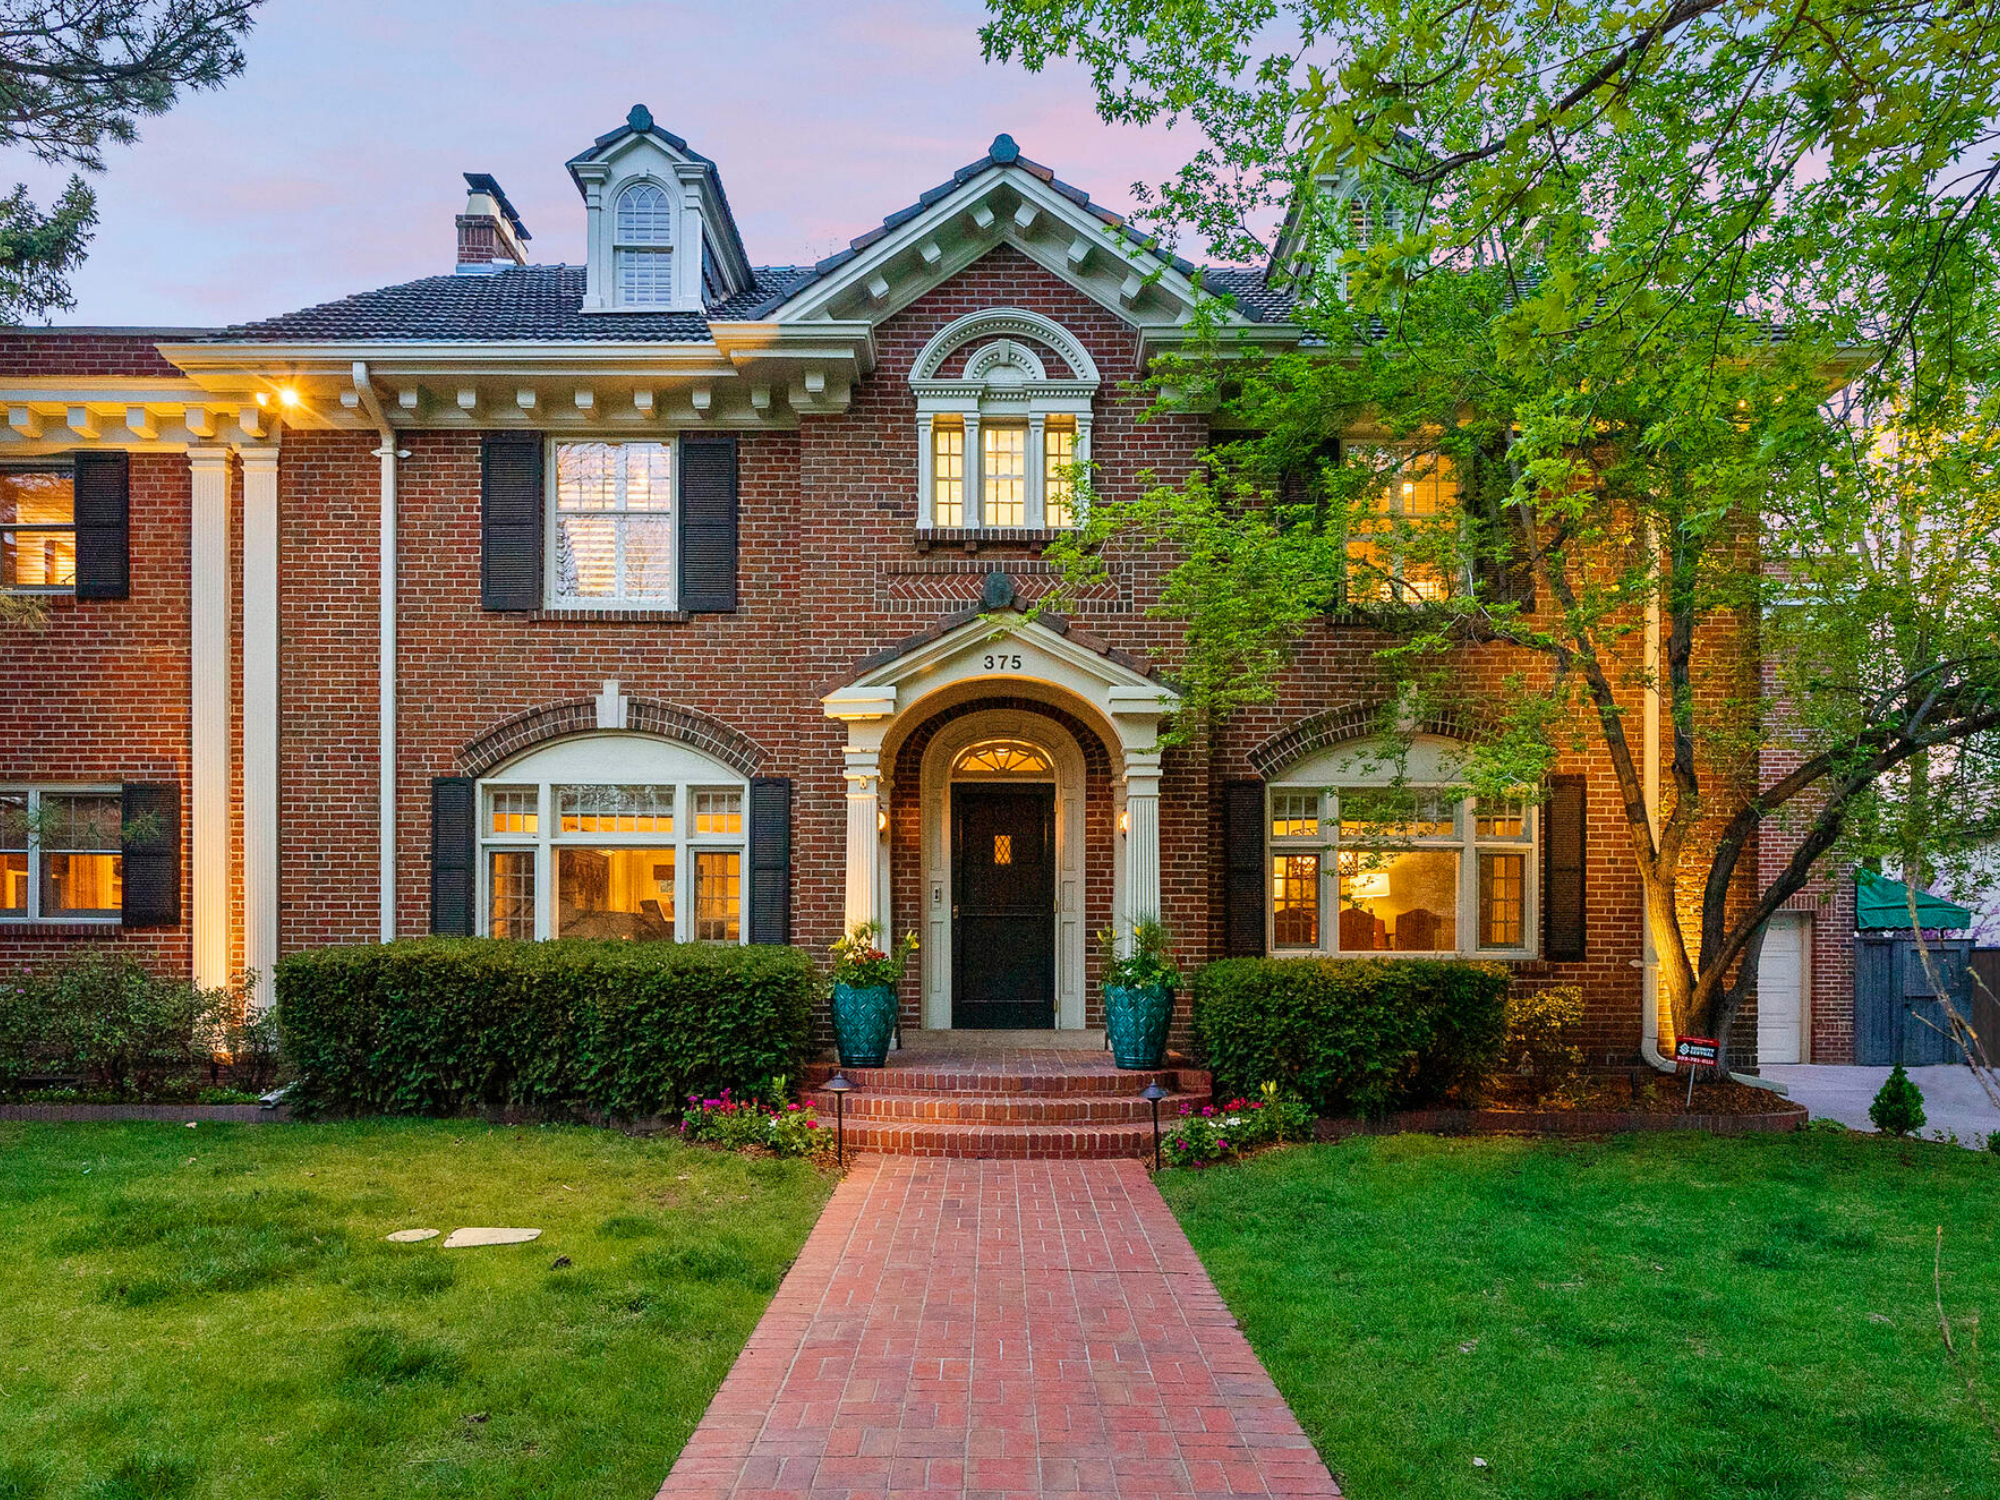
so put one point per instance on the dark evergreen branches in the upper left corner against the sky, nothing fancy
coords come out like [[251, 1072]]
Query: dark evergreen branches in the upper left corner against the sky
[[77, 75]]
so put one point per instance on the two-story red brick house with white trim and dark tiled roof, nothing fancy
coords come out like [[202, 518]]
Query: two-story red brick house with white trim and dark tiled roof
[[677, 597]]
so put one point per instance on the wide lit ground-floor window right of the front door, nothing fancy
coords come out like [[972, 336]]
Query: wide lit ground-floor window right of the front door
[[1399, 871]]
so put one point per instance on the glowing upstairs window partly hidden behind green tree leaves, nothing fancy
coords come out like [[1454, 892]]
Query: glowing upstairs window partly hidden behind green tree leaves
[[1403, 549]]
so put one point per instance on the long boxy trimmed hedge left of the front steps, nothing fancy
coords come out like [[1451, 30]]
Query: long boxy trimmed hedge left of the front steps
[[455, 1025]]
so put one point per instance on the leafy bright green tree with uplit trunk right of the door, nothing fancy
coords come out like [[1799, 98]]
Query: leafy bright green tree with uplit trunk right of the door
[[1695, 307]]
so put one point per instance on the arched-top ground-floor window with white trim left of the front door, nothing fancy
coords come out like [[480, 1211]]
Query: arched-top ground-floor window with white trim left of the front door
[[567, 855]]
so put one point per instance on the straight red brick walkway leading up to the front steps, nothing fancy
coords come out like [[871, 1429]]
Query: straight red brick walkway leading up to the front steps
[[997, 1329]]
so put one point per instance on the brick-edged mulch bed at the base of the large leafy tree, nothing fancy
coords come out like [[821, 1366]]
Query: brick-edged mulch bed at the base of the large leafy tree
[[1603, 1107]]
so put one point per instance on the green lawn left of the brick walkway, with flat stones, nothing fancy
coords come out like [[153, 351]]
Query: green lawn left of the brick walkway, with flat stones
[[213, 1313]]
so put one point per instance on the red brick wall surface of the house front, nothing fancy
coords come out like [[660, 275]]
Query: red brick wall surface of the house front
[[831, 571]]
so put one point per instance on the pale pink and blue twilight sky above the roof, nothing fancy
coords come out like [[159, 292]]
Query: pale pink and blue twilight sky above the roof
[[333, 163]]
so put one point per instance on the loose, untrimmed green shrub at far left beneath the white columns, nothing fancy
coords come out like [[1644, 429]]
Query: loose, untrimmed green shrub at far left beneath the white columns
[[125, 1031]]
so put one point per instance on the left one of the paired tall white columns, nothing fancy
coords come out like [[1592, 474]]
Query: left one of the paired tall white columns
[[209, 715]]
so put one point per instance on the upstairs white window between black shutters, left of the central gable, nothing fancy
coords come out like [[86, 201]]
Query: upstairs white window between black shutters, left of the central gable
[[613, 525]]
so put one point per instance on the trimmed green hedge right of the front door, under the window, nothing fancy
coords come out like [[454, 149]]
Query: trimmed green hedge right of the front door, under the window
[[1349, 1035]]
